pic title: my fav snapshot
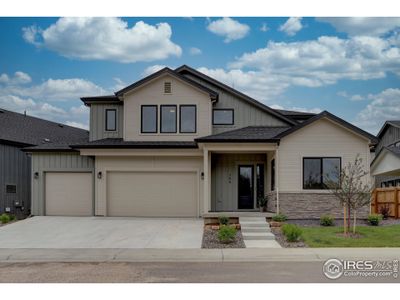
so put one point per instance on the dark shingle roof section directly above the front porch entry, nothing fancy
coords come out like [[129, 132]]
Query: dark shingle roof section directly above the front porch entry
[[246, 134]]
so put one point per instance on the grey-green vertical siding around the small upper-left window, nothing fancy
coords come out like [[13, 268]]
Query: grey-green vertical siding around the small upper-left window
[[98, 121]]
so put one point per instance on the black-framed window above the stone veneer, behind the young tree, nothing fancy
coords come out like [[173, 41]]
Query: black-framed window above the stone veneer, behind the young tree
[[318, 170]]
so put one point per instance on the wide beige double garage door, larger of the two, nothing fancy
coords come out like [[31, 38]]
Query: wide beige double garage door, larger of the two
[[152, 194]]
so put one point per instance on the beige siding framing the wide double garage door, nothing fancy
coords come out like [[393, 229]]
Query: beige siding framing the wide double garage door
[[155, 164]]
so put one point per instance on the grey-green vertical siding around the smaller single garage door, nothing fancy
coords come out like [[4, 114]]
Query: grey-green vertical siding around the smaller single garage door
[[54, 162]]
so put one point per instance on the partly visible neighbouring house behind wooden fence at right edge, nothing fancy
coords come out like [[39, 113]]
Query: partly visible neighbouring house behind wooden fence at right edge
[[386, 165]]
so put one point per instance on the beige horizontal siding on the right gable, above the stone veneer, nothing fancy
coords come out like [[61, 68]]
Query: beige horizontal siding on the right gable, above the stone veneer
[[321, 138]]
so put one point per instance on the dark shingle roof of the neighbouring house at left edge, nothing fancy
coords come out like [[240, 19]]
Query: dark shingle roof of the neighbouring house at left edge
[[24, 130]]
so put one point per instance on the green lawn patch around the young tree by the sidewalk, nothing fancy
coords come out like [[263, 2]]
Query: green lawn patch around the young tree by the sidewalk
[[380, 236]]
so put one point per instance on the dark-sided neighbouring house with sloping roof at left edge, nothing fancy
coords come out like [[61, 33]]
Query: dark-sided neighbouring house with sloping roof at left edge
[[16, 132]]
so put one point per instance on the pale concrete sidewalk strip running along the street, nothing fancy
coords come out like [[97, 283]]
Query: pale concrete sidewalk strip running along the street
[[195, 255]]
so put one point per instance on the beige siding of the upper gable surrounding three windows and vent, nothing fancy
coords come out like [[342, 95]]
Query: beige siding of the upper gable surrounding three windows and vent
[[153, 94]]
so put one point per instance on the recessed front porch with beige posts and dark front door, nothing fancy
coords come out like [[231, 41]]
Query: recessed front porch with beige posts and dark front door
[[236, 175]]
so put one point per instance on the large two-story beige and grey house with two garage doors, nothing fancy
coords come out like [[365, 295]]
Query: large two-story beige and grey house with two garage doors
[[181, 144]]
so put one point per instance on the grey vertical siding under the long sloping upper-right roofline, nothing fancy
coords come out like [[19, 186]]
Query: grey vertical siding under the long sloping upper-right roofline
[[245, 114]]
